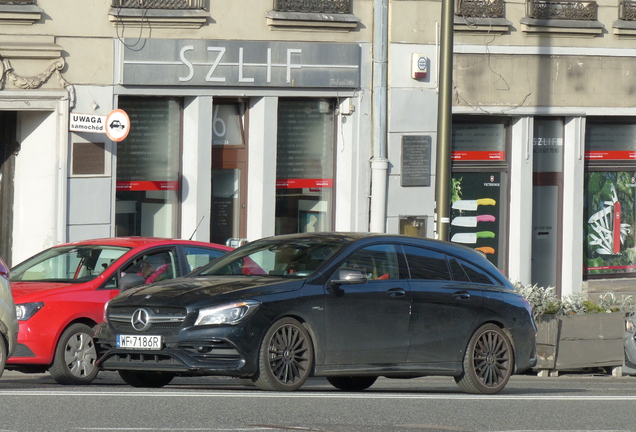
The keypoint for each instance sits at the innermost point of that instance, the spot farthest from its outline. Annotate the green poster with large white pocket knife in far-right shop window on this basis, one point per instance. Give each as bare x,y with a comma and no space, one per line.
609,222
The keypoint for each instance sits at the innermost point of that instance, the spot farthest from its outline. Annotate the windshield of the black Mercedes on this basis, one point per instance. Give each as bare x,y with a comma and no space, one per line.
290,258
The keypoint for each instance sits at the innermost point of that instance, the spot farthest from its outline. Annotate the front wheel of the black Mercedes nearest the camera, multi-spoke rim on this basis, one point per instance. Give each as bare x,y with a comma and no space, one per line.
286,357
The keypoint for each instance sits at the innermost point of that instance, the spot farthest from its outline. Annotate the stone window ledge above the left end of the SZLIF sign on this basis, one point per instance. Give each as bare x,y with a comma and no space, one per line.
165,18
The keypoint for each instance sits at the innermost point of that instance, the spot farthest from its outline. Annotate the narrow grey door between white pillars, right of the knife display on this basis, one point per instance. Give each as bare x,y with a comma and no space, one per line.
547,198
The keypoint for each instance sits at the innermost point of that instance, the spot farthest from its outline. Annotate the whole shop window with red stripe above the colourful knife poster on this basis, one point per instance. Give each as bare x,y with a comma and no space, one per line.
479,186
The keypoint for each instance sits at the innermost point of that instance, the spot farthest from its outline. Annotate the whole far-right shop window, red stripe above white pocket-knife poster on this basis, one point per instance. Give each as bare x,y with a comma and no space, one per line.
610,198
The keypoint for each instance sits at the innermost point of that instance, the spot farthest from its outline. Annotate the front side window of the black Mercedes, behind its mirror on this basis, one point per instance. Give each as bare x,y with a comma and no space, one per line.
378,262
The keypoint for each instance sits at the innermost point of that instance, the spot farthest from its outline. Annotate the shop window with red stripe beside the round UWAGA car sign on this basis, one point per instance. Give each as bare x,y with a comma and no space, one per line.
148,168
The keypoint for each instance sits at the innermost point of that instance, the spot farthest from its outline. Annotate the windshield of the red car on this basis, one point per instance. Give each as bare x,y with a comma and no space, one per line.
67,264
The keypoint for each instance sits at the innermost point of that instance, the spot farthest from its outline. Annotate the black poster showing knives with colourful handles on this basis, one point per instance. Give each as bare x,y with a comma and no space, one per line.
475,209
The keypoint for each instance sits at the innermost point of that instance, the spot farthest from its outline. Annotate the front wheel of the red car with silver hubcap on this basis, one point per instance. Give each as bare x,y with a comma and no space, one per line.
75,356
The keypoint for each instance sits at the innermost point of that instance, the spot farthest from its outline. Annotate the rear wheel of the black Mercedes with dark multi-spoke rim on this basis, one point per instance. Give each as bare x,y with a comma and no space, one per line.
488,362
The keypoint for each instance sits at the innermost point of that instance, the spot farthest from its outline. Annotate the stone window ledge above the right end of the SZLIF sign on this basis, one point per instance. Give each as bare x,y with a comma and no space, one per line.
311,21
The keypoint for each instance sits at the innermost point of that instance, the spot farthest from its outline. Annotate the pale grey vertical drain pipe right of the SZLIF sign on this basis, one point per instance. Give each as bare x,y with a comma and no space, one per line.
379,161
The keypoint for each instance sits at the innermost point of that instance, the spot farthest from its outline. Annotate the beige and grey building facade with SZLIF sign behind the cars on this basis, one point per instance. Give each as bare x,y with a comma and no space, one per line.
248,119
